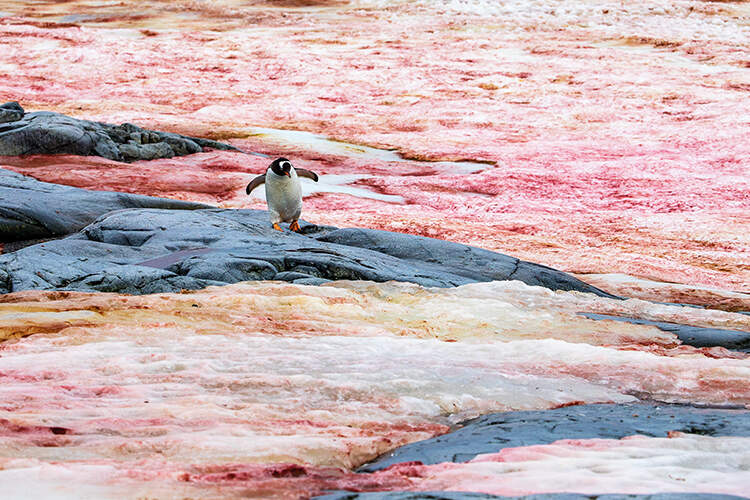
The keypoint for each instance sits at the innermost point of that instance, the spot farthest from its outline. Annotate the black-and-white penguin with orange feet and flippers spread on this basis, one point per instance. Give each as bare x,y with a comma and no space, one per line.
283,192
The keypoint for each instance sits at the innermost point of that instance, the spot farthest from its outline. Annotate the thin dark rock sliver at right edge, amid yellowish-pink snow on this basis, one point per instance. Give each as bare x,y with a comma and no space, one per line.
692,335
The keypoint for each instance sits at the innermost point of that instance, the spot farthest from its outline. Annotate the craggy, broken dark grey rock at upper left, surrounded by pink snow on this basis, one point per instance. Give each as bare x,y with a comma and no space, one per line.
45,132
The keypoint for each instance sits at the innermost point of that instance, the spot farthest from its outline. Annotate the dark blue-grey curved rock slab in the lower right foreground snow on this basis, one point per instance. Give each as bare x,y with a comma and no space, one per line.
491,433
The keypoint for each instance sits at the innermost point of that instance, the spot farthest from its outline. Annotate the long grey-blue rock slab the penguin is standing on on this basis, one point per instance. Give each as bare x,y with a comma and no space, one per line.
155,250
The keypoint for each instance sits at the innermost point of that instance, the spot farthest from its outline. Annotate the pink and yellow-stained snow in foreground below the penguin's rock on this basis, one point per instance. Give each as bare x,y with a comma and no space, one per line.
283,389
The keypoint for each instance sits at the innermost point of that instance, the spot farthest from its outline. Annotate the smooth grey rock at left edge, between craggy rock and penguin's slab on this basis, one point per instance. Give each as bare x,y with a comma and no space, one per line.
30,209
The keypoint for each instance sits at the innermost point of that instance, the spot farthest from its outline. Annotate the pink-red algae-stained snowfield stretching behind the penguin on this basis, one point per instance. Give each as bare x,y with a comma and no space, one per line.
613,134
